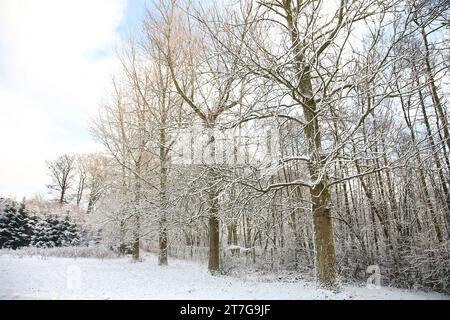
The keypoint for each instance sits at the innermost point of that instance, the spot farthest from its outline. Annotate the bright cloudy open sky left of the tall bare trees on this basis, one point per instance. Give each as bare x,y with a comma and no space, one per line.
57,58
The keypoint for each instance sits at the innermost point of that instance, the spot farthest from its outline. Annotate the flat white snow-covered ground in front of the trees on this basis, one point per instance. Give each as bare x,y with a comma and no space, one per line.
90,278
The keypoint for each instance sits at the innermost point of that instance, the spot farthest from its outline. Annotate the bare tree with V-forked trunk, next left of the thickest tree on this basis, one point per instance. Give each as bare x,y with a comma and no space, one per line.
207,83
